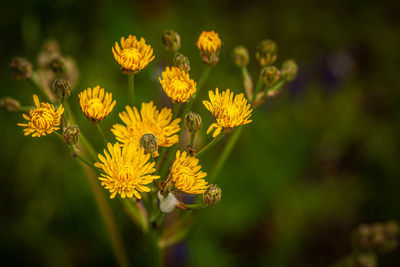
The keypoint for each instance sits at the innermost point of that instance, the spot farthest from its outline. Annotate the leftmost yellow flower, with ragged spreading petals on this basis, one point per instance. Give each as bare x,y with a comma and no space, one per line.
43,119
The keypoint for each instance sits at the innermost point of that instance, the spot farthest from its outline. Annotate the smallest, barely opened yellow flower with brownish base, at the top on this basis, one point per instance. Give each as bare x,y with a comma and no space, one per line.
209,44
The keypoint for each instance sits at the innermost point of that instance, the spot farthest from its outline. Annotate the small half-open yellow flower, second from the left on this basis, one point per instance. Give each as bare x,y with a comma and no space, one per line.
95,104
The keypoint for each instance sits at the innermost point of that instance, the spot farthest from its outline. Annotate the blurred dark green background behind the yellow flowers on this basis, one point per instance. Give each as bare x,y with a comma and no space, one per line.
317,161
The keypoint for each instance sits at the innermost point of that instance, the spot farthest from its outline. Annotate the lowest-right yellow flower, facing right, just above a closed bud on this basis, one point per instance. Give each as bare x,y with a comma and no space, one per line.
187,175
